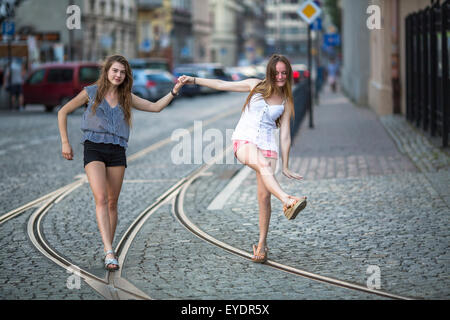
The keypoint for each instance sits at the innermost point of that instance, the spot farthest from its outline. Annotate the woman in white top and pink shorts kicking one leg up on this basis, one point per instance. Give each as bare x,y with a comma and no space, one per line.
268,106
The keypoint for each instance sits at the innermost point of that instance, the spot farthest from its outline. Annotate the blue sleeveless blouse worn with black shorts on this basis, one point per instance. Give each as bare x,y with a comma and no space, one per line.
107,125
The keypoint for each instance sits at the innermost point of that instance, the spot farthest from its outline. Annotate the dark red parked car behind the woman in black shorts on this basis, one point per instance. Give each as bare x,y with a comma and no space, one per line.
55,84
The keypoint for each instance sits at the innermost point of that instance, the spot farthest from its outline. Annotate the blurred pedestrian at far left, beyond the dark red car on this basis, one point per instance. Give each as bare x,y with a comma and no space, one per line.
15,88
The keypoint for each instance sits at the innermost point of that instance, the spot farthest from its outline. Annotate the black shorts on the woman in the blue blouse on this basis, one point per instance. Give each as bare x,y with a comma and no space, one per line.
112,155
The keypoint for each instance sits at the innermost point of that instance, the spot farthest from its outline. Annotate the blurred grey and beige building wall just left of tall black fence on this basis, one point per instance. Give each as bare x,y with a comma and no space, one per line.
374,69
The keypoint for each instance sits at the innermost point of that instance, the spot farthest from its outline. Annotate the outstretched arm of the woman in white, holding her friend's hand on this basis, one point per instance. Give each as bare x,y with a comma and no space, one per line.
239,86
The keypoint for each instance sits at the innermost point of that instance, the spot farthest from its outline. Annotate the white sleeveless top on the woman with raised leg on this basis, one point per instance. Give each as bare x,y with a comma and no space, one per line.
257,123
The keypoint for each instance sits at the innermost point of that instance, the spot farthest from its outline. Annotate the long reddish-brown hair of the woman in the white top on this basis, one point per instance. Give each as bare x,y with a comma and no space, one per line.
268,86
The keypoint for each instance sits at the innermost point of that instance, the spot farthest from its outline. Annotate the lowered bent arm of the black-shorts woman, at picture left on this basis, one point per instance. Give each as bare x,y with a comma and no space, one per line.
81,99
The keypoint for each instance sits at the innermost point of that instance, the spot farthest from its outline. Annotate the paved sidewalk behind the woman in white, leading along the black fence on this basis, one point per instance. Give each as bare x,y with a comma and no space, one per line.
356,142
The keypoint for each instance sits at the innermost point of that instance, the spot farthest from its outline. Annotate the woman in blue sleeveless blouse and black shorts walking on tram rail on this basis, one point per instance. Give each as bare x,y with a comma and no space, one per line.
106,126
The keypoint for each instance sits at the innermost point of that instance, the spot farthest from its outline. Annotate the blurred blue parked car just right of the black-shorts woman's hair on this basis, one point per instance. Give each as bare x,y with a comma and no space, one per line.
152,84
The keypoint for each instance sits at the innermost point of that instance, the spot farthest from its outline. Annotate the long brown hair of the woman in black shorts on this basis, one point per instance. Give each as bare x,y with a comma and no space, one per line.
123,90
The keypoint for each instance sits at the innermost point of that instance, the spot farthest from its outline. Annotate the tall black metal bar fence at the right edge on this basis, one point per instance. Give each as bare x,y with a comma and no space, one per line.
427,69
